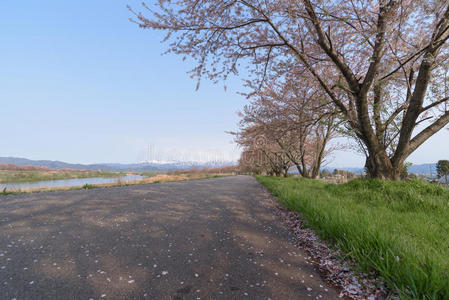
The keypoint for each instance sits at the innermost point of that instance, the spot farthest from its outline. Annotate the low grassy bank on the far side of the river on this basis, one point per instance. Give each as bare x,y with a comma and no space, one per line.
8,176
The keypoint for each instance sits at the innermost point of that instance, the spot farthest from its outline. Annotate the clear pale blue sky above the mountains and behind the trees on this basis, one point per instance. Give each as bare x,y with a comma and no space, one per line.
80,83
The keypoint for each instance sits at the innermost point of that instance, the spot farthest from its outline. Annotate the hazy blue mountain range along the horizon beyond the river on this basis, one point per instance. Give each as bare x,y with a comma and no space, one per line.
151,166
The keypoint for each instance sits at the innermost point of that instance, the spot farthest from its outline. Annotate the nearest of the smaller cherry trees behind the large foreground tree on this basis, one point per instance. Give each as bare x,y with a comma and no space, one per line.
302,128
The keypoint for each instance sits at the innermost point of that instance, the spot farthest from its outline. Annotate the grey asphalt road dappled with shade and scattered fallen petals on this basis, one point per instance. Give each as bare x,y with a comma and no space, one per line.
206,239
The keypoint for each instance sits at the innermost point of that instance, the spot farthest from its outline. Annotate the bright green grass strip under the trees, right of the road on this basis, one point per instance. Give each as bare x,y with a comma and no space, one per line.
398,229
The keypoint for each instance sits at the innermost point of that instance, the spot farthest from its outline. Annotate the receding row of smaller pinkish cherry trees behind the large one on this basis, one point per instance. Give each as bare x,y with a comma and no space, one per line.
286,125
